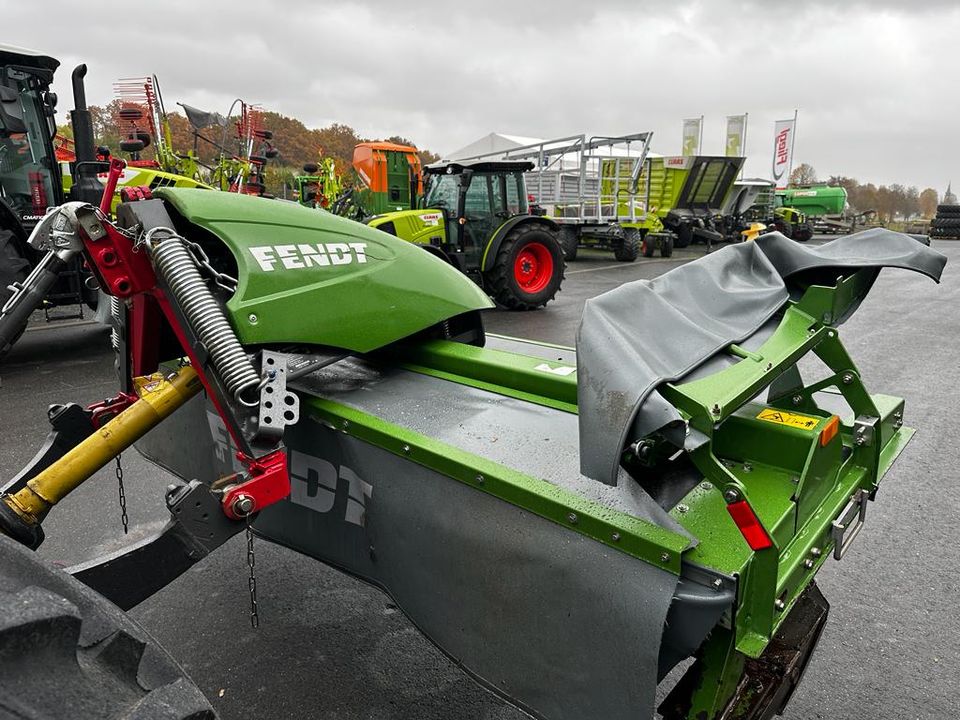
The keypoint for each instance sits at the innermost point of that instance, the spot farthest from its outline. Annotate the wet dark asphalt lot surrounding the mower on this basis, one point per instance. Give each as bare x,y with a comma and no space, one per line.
332,648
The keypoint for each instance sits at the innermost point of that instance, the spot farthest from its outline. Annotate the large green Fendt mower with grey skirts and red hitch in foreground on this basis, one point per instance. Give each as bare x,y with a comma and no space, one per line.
569,524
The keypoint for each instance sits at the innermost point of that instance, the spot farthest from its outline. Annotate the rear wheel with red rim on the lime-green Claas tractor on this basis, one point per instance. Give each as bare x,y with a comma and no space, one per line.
502,282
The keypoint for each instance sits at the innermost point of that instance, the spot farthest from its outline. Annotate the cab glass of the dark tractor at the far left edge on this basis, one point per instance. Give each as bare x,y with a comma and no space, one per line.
27,163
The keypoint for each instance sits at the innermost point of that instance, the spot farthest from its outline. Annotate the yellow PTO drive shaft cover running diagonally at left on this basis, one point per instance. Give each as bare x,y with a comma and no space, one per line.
159,395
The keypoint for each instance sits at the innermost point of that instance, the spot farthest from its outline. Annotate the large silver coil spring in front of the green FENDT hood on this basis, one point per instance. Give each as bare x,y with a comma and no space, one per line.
177,266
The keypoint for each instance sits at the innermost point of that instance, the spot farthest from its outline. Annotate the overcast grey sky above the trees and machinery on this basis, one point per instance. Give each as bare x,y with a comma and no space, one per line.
876,83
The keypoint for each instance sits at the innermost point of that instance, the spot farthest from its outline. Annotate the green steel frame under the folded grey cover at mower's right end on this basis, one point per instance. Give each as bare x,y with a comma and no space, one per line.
772,579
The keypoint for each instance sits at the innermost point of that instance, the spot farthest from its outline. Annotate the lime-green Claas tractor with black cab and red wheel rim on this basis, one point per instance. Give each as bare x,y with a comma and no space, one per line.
475,216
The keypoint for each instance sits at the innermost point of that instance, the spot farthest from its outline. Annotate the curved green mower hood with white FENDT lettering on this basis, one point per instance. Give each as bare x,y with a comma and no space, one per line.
306,276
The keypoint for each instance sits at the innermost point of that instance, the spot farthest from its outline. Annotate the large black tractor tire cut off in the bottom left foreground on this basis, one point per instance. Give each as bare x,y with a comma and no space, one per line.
66,652
